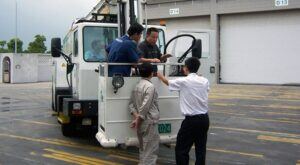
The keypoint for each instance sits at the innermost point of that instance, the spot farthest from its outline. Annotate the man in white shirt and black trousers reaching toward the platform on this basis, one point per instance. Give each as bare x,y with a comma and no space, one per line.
194,106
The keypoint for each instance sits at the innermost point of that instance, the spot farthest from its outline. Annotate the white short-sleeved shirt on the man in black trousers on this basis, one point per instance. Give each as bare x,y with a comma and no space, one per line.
193,94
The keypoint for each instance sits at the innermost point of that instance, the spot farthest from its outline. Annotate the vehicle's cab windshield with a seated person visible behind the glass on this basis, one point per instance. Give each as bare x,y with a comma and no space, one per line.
95,39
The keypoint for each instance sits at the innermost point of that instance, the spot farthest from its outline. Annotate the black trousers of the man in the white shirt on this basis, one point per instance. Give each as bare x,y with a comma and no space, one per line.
193,130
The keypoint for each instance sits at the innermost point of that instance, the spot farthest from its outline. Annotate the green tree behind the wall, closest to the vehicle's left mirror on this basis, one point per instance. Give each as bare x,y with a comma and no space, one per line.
38,45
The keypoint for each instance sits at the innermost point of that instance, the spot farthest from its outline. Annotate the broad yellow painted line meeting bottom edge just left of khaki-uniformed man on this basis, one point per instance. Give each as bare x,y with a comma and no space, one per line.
79,158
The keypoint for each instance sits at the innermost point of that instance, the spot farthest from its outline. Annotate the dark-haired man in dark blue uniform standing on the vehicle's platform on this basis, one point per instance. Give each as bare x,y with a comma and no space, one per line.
124,50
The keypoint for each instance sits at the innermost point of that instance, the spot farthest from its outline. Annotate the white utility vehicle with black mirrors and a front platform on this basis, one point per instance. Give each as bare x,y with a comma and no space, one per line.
92,99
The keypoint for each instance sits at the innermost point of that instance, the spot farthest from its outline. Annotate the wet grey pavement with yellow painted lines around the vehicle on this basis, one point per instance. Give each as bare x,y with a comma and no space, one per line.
250,124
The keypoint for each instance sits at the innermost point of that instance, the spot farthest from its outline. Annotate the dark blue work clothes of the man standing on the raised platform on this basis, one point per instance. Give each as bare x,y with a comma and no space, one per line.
122,50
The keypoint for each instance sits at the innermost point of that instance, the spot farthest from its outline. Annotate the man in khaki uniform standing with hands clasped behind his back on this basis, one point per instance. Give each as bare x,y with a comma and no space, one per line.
144,107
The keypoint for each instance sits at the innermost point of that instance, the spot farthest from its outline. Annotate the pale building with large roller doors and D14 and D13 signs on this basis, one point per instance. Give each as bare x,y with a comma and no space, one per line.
252,41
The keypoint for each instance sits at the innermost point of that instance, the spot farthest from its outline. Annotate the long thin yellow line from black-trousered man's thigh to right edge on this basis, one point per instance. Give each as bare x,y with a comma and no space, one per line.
257,131
